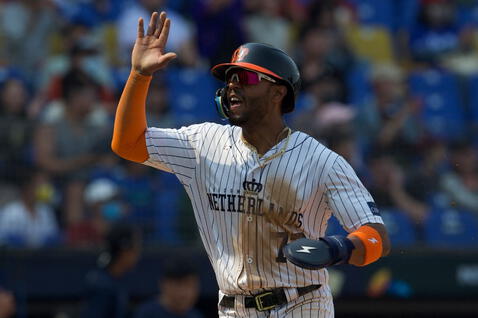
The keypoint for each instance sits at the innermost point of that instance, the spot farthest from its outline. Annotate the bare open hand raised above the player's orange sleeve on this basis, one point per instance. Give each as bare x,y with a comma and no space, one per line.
149,49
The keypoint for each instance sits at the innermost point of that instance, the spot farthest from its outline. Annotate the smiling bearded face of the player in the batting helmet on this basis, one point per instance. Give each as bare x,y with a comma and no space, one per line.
249,103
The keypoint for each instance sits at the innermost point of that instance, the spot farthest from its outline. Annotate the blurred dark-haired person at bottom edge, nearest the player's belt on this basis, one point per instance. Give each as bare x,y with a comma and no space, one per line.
178,291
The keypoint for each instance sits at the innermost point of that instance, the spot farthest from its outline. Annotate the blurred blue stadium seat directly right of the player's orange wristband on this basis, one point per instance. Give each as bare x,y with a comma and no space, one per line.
400,228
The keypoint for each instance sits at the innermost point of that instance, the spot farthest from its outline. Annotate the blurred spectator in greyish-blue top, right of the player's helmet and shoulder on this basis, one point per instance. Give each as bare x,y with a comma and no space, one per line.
390,120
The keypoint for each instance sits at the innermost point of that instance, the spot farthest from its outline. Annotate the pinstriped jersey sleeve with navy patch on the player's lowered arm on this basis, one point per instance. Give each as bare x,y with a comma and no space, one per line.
350,201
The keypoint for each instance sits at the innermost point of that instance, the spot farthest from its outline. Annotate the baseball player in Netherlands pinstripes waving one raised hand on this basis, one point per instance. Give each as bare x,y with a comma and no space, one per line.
261,193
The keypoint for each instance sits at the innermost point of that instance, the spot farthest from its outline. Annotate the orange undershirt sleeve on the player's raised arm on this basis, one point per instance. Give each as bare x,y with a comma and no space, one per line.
129,140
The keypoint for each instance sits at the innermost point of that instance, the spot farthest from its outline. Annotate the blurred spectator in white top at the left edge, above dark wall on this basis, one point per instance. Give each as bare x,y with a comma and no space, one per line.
27,222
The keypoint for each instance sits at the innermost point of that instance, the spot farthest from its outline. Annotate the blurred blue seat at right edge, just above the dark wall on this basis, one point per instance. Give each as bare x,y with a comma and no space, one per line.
451,228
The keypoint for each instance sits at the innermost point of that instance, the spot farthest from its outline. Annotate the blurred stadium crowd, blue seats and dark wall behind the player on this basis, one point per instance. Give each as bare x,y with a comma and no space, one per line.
391,85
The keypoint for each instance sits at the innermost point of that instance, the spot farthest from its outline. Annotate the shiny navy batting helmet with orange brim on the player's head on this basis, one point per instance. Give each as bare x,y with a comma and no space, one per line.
269,60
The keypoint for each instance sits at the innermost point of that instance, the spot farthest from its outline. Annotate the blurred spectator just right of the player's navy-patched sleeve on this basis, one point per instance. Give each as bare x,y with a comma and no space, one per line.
386,183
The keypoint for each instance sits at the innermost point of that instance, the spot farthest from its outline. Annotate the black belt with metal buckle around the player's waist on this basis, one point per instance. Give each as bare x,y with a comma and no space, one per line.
268,299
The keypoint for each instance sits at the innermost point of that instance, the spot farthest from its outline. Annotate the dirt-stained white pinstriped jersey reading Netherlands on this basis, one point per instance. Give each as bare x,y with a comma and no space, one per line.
247,207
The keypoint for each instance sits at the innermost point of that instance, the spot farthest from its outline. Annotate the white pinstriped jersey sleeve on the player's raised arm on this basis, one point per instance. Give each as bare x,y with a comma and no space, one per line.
174,150
